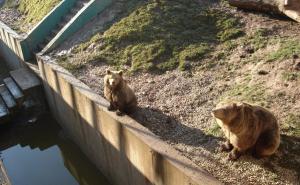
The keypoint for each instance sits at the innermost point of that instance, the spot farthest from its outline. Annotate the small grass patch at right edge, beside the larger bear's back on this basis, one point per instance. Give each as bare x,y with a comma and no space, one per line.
291,125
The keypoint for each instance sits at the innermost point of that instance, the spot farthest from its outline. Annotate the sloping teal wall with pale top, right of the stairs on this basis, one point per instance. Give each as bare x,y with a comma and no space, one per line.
77,22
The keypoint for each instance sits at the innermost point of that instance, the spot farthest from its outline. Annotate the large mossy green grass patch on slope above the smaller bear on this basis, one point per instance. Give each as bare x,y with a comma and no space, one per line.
163,35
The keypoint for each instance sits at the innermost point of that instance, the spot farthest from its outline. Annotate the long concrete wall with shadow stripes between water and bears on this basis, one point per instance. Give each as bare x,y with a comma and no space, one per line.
126,152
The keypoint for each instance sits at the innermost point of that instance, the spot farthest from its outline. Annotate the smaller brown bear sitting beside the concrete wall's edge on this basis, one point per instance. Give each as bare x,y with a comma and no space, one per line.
118,93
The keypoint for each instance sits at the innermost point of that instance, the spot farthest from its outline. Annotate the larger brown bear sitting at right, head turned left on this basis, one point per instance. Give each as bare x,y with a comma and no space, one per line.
247,127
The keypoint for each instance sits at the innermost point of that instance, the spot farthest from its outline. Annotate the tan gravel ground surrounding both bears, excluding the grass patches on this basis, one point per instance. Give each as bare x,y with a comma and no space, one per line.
177,105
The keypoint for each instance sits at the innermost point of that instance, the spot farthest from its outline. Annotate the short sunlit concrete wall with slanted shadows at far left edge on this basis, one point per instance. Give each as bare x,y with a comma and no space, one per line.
11,47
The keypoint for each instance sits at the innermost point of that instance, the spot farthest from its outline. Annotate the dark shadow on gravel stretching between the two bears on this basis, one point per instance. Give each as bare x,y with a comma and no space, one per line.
171,130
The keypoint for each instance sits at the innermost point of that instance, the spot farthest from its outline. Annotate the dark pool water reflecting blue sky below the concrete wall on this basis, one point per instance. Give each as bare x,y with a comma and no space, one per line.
40,154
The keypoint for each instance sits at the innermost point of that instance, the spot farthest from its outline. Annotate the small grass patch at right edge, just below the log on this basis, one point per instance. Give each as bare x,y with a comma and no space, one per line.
288,48
